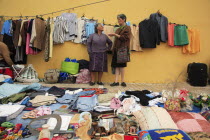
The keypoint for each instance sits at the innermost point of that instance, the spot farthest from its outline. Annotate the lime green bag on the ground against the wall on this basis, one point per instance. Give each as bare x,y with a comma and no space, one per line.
70,67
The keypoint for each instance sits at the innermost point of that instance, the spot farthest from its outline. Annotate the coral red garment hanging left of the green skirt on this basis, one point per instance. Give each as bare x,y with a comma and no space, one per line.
171,34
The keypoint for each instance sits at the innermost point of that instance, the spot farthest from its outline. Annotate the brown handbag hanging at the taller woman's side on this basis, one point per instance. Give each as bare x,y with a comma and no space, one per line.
123,55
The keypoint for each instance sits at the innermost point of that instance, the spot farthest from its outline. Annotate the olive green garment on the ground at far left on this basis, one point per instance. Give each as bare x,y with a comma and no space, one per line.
13,98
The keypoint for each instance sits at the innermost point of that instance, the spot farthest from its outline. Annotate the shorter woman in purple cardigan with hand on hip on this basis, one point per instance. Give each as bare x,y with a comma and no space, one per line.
97,48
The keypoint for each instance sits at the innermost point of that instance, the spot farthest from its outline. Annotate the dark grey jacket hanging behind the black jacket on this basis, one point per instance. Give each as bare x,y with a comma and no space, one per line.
163,25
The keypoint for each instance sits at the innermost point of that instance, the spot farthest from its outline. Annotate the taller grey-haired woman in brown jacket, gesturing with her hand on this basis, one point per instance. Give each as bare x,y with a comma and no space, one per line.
122,40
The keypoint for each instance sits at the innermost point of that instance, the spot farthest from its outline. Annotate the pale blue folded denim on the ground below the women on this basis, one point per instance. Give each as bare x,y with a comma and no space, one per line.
87,103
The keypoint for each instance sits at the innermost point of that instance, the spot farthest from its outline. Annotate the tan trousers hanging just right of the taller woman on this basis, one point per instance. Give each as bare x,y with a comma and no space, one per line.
134,39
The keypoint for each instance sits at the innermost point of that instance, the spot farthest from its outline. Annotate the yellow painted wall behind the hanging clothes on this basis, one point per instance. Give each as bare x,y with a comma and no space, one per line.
159,65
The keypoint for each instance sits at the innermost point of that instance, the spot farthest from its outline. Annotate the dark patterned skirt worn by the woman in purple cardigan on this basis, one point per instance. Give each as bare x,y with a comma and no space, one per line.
98,62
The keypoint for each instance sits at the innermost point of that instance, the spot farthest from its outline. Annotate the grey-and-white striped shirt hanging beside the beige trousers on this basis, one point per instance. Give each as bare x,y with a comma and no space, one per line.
60,30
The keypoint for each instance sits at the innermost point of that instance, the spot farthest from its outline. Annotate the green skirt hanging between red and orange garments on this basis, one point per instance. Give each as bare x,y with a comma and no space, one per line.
180,35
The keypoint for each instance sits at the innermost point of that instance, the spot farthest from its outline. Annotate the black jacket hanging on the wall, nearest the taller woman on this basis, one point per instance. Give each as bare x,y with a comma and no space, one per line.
149,33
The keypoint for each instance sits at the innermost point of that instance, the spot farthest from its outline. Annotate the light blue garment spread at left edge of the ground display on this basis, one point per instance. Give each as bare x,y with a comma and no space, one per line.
10,89
